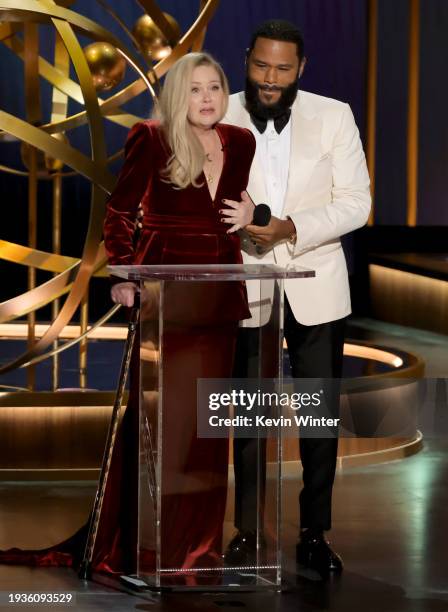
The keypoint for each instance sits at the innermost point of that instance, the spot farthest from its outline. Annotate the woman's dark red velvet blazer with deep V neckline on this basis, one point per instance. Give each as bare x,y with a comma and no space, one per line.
180,226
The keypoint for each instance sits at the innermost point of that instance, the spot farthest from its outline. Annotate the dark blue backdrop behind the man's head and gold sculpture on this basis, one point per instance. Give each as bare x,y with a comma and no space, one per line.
335,35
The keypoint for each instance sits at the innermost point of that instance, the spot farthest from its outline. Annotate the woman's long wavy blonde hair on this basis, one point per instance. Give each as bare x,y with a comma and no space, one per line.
187,154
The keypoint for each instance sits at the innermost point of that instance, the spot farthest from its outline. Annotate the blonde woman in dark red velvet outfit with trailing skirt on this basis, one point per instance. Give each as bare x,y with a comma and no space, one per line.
188,172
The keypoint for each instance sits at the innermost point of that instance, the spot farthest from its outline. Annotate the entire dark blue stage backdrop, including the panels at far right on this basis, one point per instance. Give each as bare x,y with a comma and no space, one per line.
335,33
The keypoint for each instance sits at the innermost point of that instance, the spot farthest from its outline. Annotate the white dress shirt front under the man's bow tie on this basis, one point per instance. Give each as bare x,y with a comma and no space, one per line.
273,151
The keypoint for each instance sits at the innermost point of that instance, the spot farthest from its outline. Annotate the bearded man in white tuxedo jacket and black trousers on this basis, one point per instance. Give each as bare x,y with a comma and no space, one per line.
310,168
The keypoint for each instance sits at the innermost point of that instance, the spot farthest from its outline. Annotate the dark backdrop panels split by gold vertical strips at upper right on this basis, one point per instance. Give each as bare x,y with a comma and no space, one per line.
392,109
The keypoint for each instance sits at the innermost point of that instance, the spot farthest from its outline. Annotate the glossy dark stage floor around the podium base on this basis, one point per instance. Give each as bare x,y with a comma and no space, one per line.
389,526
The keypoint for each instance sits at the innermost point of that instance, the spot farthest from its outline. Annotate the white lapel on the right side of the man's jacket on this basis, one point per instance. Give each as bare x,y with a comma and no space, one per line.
306,150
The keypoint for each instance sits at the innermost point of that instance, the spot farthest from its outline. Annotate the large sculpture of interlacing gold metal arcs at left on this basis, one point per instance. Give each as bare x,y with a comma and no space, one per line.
73,275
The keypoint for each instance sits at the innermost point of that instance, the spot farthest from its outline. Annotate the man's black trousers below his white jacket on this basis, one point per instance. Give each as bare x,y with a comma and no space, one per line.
315,351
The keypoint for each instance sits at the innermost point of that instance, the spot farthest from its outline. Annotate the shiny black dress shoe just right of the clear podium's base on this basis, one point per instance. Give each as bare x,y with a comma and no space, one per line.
314,552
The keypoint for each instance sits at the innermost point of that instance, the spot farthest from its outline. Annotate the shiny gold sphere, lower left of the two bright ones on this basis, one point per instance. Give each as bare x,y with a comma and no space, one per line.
106,65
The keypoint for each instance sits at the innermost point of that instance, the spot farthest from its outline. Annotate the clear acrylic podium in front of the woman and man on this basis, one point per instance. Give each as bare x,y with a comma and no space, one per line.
186,502
